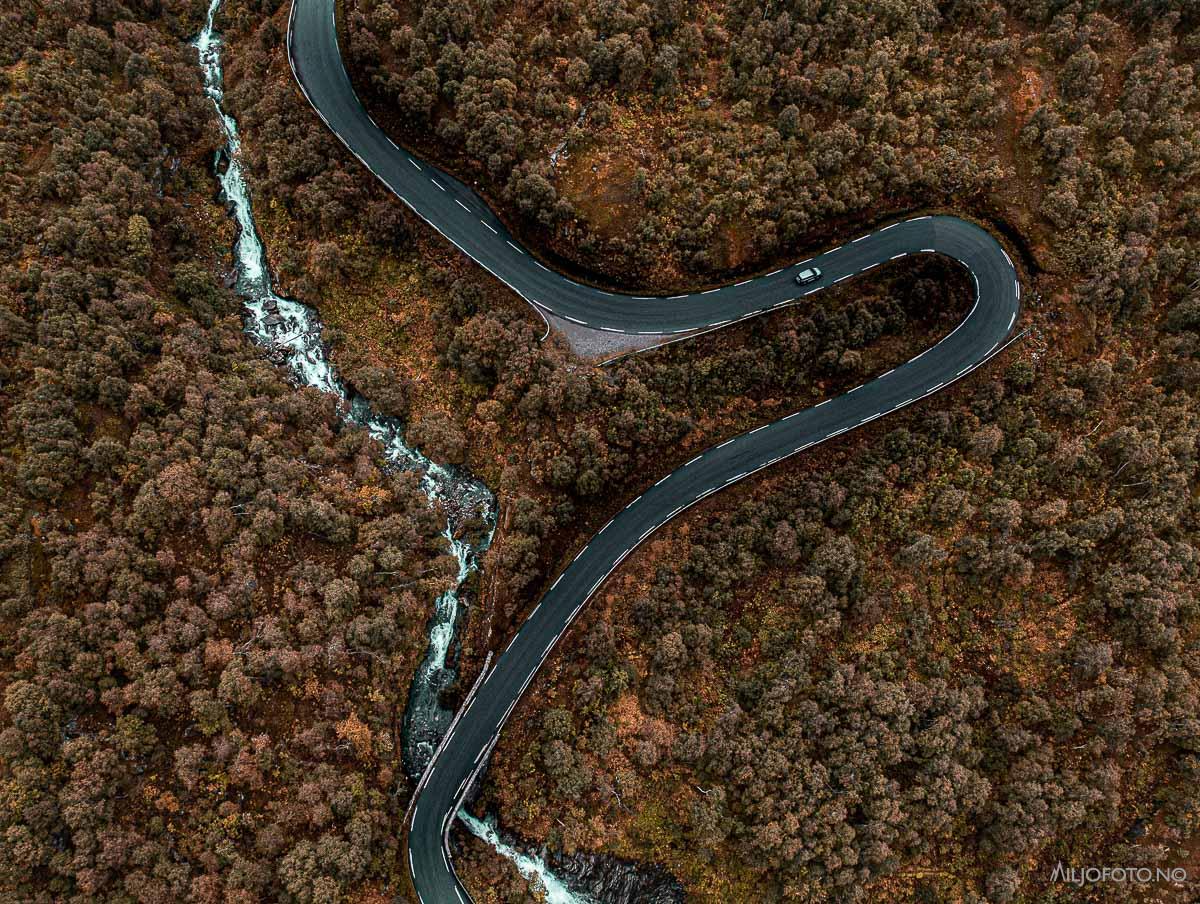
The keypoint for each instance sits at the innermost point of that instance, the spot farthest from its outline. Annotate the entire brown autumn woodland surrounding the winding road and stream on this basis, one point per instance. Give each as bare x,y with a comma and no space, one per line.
925,663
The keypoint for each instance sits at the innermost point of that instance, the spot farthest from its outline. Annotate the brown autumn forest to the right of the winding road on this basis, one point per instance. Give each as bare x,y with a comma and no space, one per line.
1011,570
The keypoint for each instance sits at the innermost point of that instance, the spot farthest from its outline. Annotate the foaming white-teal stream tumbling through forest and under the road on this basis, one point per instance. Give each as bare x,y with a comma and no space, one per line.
291,333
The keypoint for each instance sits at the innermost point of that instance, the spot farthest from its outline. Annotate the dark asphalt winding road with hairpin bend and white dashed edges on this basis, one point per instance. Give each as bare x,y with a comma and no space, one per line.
461,217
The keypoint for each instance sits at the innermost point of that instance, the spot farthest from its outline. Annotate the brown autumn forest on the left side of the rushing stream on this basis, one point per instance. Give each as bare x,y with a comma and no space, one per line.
213,595
